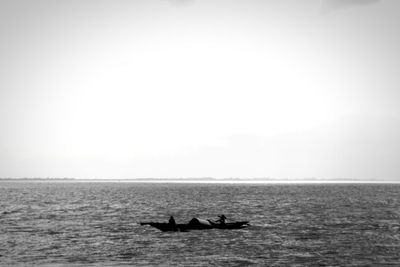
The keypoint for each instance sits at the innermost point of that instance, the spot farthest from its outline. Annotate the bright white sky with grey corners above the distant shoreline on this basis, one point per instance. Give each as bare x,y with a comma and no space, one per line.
194,88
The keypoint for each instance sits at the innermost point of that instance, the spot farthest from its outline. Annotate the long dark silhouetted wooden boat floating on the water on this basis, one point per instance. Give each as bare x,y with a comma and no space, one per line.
196,224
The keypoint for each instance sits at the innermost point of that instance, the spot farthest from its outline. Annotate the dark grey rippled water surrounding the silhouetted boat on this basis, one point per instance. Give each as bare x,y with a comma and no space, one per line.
95,224
